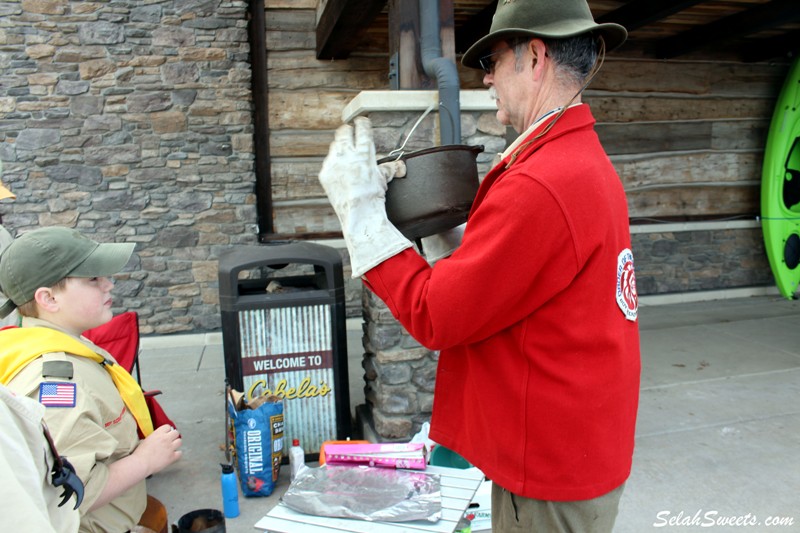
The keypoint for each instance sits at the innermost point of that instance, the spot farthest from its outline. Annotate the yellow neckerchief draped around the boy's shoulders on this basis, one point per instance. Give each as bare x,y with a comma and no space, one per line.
20,346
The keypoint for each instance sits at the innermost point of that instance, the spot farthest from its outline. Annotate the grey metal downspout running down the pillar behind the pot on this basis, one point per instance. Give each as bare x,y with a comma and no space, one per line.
443,70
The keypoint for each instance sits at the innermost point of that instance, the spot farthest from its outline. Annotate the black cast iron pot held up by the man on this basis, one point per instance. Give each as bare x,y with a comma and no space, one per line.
437,191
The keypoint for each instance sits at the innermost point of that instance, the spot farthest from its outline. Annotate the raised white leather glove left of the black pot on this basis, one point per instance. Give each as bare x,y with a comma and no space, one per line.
356,188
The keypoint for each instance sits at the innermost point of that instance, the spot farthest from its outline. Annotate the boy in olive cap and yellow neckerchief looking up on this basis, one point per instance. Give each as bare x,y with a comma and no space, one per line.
59,281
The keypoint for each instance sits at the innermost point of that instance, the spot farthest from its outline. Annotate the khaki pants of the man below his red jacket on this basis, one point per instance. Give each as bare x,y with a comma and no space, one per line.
515,514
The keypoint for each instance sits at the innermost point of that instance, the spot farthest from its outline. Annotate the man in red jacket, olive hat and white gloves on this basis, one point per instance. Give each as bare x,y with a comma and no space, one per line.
535,312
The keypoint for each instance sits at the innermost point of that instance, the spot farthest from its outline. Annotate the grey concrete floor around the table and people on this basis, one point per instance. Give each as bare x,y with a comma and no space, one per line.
718,429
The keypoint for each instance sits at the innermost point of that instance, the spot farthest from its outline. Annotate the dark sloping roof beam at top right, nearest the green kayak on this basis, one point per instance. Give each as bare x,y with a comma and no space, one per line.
758,18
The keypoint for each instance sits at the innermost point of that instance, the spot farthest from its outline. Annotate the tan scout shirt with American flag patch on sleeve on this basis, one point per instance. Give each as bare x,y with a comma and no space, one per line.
90,425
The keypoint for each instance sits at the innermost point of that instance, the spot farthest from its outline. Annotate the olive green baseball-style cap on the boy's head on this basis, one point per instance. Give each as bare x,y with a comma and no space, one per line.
45,256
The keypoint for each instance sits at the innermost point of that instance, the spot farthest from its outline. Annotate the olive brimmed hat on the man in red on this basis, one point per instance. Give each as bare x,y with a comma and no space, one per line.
549,19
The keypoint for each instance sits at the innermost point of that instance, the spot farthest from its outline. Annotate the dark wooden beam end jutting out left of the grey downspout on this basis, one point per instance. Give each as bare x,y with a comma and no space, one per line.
342,25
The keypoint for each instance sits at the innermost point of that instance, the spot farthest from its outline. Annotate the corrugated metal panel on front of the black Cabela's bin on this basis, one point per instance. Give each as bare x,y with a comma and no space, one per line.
301,332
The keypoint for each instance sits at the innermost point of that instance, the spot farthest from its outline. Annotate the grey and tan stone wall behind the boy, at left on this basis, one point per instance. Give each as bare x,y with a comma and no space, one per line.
132,122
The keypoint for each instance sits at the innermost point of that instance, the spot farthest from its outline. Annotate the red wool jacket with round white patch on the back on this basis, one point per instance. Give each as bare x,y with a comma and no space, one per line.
535,317
